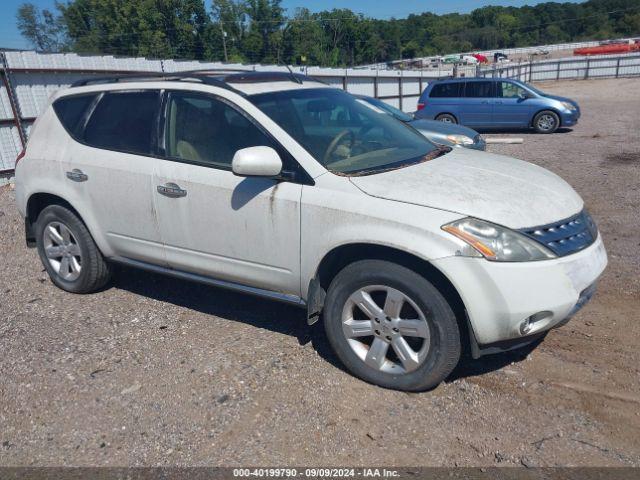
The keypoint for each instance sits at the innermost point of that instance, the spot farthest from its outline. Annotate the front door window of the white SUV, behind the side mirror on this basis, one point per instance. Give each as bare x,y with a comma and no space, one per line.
203,129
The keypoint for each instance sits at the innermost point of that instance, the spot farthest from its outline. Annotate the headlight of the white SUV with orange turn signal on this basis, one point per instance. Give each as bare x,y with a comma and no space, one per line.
495,242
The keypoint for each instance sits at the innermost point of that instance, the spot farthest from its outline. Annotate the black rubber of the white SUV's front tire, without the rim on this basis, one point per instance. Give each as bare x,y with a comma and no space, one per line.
444,344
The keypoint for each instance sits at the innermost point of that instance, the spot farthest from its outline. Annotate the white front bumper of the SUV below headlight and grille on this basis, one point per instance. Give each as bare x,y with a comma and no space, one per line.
499,297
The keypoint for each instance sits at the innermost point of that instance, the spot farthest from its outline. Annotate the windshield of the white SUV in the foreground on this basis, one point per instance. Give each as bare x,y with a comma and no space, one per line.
345,135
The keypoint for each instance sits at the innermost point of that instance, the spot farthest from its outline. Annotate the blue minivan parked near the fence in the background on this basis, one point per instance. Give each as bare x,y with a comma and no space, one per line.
488,103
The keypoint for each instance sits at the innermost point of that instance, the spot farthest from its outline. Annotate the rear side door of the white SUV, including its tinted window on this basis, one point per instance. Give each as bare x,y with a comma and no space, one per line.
110,167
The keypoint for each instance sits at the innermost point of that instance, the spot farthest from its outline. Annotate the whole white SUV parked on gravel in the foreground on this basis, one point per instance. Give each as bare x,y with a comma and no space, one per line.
278,185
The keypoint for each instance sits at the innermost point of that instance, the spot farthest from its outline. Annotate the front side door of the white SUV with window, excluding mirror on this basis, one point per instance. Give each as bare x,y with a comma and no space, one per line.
213,223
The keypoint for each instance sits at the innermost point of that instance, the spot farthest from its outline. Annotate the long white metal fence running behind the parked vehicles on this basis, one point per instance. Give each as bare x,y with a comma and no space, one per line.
28,79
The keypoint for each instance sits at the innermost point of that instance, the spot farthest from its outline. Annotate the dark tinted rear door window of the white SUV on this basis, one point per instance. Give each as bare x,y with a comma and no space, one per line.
123,121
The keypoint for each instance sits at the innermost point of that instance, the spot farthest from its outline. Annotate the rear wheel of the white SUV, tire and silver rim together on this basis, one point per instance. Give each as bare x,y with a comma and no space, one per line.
71,257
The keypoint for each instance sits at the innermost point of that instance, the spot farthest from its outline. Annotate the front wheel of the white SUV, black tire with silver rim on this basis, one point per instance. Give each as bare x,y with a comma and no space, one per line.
356,344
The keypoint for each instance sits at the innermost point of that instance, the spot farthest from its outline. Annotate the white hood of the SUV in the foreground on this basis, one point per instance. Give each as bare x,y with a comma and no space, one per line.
495,188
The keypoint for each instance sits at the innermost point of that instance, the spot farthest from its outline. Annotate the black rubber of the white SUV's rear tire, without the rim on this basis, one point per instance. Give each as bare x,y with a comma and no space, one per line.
94,273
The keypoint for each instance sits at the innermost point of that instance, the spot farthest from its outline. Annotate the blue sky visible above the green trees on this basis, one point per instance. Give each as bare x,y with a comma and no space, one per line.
11,38
